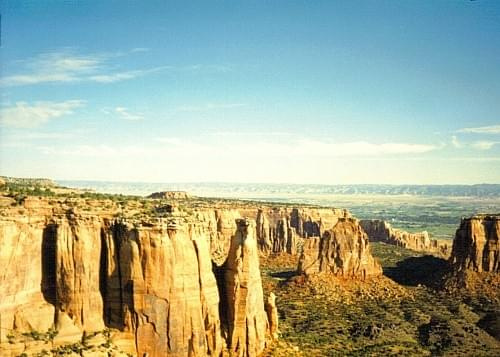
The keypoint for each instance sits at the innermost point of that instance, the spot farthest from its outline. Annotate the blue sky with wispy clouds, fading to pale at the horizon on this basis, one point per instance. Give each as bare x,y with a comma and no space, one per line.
323,92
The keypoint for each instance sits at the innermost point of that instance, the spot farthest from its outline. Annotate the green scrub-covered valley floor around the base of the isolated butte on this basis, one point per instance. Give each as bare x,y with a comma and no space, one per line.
382,317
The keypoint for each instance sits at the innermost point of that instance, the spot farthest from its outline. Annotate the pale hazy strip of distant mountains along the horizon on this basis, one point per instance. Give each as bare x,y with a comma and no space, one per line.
248,190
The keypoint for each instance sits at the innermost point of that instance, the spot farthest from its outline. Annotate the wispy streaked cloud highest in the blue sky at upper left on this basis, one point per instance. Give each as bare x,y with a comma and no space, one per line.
67,67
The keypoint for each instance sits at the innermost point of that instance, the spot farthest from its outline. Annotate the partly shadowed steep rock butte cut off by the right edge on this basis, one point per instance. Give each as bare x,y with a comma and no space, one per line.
476,246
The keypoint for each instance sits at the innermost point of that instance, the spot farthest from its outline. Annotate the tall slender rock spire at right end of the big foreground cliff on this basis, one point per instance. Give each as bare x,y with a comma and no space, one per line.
246,316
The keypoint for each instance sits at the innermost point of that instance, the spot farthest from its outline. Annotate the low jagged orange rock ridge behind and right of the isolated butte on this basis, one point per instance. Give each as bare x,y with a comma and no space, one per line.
381,231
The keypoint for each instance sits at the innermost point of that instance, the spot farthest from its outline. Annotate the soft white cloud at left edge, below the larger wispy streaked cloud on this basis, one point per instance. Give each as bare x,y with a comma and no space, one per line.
24,115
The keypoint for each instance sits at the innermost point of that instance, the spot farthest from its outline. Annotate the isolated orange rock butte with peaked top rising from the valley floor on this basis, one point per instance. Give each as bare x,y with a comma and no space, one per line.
342,251
